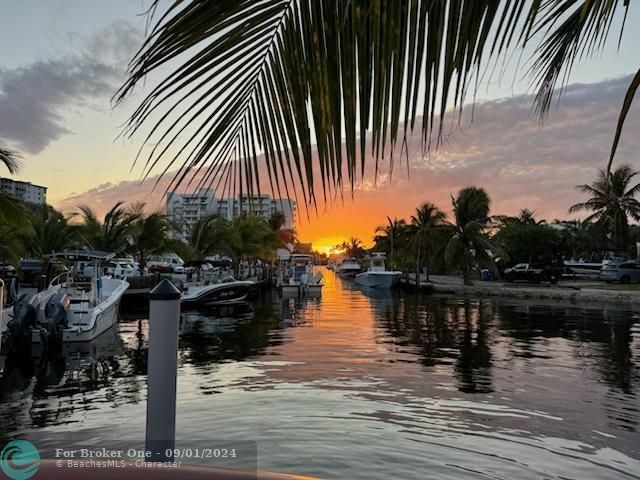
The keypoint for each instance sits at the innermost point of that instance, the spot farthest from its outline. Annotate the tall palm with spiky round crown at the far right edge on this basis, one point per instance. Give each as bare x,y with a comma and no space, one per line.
612,201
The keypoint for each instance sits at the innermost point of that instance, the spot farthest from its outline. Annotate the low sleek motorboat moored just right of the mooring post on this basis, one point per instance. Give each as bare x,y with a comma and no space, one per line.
216,292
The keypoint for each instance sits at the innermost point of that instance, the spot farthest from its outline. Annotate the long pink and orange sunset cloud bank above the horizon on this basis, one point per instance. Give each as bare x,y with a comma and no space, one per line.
503,150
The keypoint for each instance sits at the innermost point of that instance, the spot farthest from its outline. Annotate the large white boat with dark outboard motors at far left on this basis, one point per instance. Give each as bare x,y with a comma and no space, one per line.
78,305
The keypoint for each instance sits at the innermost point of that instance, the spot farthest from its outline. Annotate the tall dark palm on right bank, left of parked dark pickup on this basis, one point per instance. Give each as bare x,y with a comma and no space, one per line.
469,242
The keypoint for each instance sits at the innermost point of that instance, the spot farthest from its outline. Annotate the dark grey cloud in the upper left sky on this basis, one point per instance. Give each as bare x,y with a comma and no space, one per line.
35,97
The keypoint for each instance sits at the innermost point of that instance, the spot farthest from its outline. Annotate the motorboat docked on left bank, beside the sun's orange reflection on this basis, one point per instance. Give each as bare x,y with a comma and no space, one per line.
297,276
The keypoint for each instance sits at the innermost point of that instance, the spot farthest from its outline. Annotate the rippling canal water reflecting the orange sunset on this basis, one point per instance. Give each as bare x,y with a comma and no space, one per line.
366,385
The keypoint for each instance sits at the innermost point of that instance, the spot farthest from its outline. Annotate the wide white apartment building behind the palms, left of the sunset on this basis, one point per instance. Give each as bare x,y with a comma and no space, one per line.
187,209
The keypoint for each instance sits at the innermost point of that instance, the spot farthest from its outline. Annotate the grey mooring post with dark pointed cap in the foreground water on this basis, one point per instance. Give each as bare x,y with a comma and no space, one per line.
162,370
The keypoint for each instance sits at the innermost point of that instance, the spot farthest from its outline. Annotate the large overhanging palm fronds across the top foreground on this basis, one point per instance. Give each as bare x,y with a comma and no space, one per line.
249,77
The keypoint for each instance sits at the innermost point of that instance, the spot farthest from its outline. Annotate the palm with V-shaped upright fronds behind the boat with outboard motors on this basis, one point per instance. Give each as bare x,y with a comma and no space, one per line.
111,235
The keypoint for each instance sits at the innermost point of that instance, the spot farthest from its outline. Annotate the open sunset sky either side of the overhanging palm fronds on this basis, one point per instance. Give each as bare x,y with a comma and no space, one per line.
61,61
